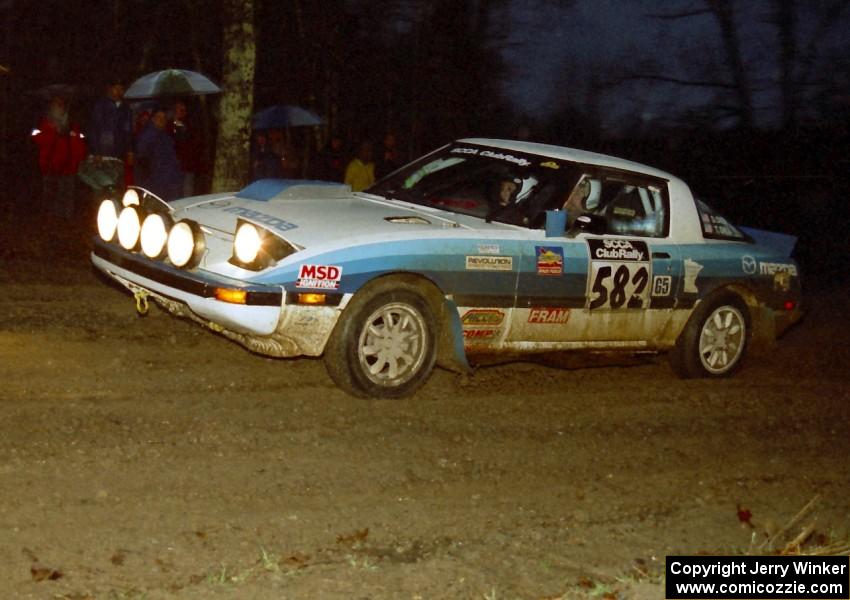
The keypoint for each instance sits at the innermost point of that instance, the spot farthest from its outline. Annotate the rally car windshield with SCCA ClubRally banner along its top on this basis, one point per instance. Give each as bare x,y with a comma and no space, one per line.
490,183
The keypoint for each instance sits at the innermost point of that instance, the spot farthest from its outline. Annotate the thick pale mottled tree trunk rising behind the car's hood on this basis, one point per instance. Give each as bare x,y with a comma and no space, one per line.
232,157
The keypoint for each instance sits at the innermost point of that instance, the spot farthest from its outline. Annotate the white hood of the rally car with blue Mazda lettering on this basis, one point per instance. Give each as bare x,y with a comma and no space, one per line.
313,213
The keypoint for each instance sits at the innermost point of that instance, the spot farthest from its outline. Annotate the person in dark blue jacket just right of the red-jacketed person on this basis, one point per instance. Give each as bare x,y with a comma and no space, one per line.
110,131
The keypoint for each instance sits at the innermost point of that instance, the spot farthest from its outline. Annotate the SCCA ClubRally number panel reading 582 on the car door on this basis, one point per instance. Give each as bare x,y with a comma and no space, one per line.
619,273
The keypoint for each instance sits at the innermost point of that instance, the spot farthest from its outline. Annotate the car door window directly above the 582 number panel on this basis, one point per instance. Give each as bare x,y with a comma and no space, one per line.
632,208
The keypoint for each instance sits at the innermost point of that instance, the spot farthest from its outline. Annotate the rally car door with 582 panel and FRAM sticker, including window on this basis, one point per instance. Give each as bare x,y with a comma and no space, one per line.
601,289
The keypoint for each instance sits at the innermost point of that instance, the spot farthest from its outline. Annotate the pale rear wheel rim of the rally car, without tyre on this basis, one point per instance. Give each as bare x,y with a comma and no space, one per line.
721,340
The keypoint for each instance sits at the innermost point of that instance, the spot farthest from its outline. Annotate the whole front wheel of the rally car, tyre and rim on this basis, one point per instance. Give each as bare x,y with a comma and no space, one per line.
383,345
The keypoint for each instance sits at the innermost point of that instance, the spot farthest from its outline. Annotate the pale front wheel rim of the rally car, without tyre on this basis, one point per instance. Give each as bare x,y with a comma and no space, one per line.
393,344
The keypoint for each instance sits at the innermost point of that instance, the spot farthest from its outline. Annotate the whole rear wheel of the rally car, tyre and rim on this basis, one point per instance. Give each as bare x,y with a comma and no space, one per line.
714,340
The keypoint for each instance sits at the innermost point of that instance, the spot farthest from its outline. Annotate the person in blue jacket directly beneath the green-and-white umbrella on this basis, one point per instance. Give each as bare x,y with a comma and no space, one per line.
157,166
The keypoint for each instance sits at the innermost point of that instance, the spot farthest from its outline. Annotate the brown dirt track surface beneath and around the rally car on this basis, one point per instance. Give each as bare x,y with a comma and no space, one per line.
149,458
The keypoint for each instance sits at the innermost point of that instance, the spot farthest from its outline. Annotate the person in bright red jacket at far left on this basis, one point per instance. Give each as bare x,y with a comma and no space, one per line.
61,149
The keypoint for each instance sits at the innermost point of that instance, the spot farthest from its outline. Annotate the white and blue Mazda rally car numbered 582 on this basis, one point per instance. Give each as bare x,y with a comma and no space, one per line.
480,247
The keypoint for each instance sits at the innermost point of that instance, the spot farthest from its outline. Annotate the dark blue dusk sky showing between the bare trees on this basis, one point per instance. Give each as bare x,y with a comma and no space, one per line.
551,43
